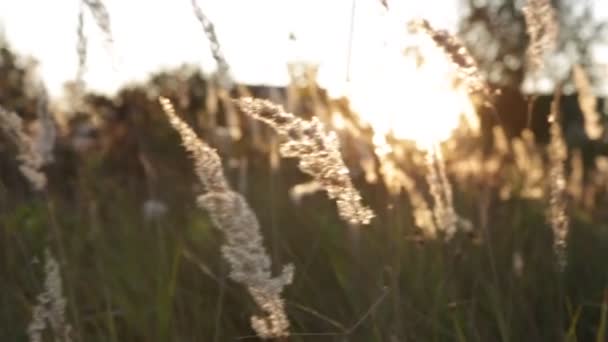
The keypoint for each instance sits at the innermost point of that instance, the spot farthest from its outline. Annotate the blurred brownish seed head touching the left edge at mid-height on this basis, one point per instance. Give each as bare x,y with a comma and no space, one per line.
30,157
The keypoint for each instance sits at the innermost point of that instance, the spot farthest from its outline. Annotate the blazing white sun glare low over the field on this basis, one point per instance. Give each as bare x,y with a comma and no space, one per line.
412,98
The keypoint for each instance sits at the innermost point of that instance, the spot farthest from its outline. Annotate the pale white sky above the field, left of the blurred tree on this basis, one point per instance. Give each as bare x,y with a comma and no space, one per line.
154,34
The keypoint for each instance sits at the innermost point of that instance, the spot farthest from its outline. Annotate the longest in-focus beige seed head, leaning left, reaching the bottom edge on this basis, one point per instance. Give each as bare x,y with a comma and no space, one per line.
244,249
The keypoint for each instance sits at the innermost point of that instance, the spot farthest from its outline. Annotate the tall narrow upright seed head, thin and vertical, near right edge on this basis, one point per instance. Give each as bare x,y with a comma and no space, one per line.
558,154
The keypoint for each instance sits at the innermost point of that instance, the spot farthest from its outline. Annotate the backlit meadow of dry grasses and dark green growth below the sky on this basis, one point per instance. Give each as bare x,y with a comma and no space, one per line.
191,208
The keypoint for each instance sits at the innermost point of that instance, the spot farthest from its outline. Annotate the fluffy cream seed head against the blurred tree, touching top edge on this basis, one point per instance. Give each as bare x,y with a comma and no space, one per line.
542,28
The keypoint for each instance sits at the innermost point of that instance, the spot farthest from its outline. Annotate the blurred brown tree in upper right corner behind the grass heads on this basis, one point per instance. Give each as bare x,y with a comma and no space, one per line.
495,33
